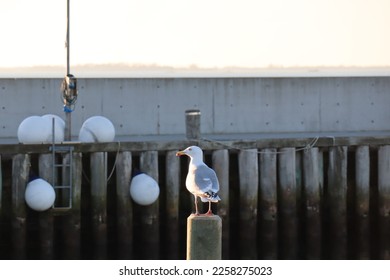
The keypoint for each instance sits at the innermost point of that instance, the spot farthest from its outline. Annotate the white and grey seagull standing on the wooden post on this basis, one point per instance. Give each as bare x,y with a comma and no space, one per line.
201,180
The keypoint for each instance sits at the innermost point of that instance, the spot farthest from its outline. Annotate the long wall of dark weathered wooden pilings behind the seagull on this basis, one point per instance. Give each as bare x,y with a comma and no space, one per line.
281,199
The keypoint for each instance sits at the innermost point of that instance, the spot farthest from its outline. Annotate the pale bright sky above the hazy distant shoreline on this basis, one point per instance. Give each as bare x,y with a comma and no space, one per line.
206,33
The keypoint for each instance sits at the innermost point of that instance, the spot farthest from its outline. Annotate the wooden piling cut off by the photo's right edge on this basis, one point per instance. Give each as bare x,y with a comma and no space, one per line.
384,201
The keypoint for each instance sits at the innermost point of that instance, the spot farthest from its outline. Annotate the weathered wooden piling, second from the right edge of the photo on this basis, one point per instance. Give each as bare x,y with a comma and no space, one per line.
362,203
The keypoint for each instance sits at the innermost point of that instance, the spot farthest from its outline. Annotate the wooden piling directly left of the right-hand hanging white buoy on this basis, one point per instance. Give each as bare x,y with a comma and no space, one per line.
124,206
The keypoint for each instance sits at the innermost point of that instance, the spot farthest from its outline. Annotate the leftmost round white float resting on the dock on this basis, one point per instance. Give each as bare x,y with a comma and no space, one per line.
33,130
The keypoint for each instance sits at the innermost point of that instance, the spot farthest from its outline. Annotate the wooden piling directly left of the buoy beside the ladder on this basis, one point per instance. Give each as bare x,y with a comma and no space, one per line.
20,177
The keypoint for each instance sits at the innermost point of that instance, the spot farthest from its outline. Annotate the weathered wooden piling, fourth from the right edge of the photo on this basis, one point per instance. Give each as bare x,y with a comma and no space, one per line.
312,203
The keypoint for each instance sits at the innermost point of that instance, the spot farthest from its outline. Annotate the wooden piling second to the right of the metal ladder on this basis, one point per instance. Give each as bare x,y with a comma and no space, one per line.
99,203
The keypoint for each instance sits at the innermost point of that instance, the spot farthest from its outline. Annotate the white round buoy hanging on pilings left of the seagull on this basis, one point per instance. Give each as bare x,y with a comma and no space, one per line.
144,190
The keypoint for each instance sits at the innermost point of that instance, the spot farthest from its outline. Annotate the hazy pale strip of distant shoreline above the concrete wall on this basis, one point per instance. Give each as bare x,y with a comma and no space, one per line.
123,70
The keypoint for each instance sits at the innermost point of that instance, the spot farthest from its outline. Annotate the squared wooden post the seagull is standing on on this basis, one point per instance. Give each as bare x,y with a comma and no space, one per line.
204,237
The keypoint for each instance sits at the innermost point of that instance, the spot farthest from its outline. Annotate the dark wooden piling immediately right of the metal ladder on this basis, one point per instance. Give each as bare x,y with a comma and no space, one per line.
72,221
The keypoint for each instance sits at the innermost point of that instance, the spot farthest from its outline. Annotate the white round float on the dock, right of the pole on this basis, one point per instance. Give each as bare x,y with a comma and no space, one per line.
97,129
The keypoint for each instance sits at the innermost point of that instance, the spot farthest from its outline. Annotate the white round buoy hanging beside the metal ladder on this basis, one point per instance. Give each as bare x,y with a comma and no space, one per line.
39,195
